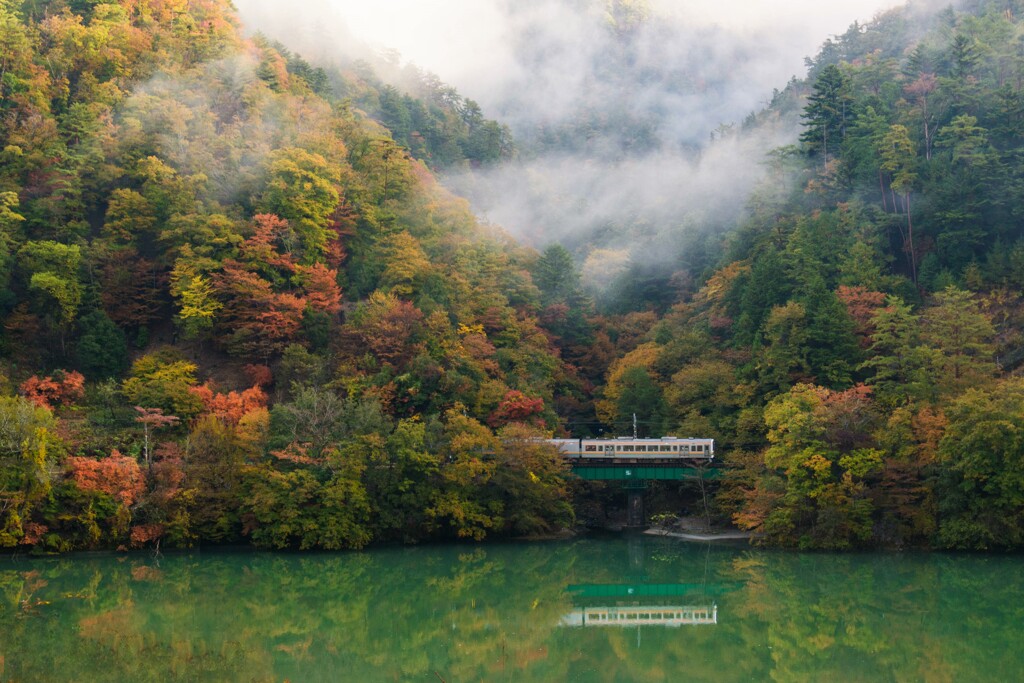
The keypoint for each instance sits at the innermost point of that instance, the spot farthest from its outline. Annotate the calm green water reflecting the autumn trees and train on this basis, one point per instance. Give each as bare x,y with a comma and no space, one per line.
514,613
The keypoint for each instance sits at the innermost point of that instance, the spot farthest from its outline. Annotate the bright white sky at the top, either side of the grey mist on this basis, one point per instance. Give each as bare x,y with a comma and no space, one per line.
465,41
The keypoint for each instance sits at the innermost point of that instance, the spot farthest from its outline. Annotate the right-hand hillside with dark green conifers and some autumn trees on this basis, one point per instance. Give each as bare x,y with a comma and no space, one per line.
859,349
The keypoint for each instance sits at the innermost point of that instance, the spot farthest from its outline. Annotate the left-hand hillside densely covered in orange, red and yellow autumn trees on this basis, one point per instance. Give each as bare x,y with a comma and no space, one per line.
236,308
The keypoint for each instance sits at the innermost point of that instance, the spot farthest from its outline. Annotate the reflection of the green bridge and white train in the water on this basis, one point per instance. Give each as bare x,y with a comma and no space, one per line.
629,606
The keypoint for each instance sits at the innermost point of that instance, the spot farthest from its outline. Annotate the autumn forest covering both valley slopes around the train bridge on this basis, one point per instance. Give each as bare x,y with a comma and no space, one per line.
240,308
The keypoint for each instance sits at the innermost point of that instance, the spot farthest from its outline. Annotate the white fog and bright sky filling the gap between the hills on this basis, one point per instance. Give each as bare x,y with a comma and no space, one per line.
613,110
